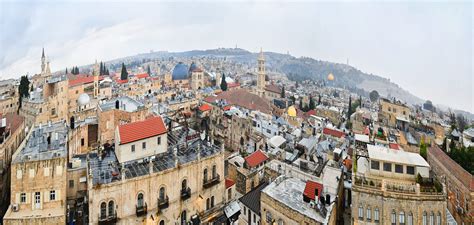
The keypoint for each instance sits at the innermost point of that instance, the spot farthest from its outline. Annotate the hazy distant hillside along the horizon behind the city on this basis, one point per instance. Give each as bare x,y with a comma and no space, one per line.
301,68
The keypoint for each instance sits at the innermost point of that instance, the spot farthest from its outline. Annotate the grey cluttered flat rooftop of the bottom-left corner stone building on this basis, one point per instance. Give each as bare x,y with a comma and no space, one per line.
44,143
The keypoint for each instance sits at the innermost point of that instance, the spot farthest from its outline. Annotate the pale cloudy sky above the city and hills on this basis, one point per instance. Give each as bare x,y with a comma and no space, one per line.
425,47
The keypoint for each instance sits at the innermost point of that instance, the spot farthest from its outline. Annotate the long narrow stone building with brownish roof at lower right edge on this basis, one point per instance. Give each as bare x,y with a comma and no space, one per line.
459,184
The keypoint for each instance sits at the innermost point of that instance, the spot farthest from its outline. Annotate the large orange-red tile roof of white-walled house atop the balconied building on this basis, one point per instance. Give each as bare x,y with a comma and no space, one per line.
140,130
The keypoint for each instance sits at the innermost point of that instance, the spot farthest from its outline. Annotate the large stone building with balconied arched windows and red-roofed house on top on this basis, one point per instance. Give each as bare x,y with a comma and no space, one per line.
185,183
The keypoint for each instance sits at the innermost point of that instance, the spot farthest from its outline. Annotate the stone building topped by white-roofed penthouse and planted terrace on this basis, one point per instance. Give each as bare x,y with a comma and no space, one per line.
394,187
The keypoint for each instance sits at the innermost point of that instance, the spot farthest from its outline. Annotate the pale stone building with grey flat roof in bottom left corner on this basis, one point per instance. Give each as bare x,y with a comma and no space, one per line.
38,177
